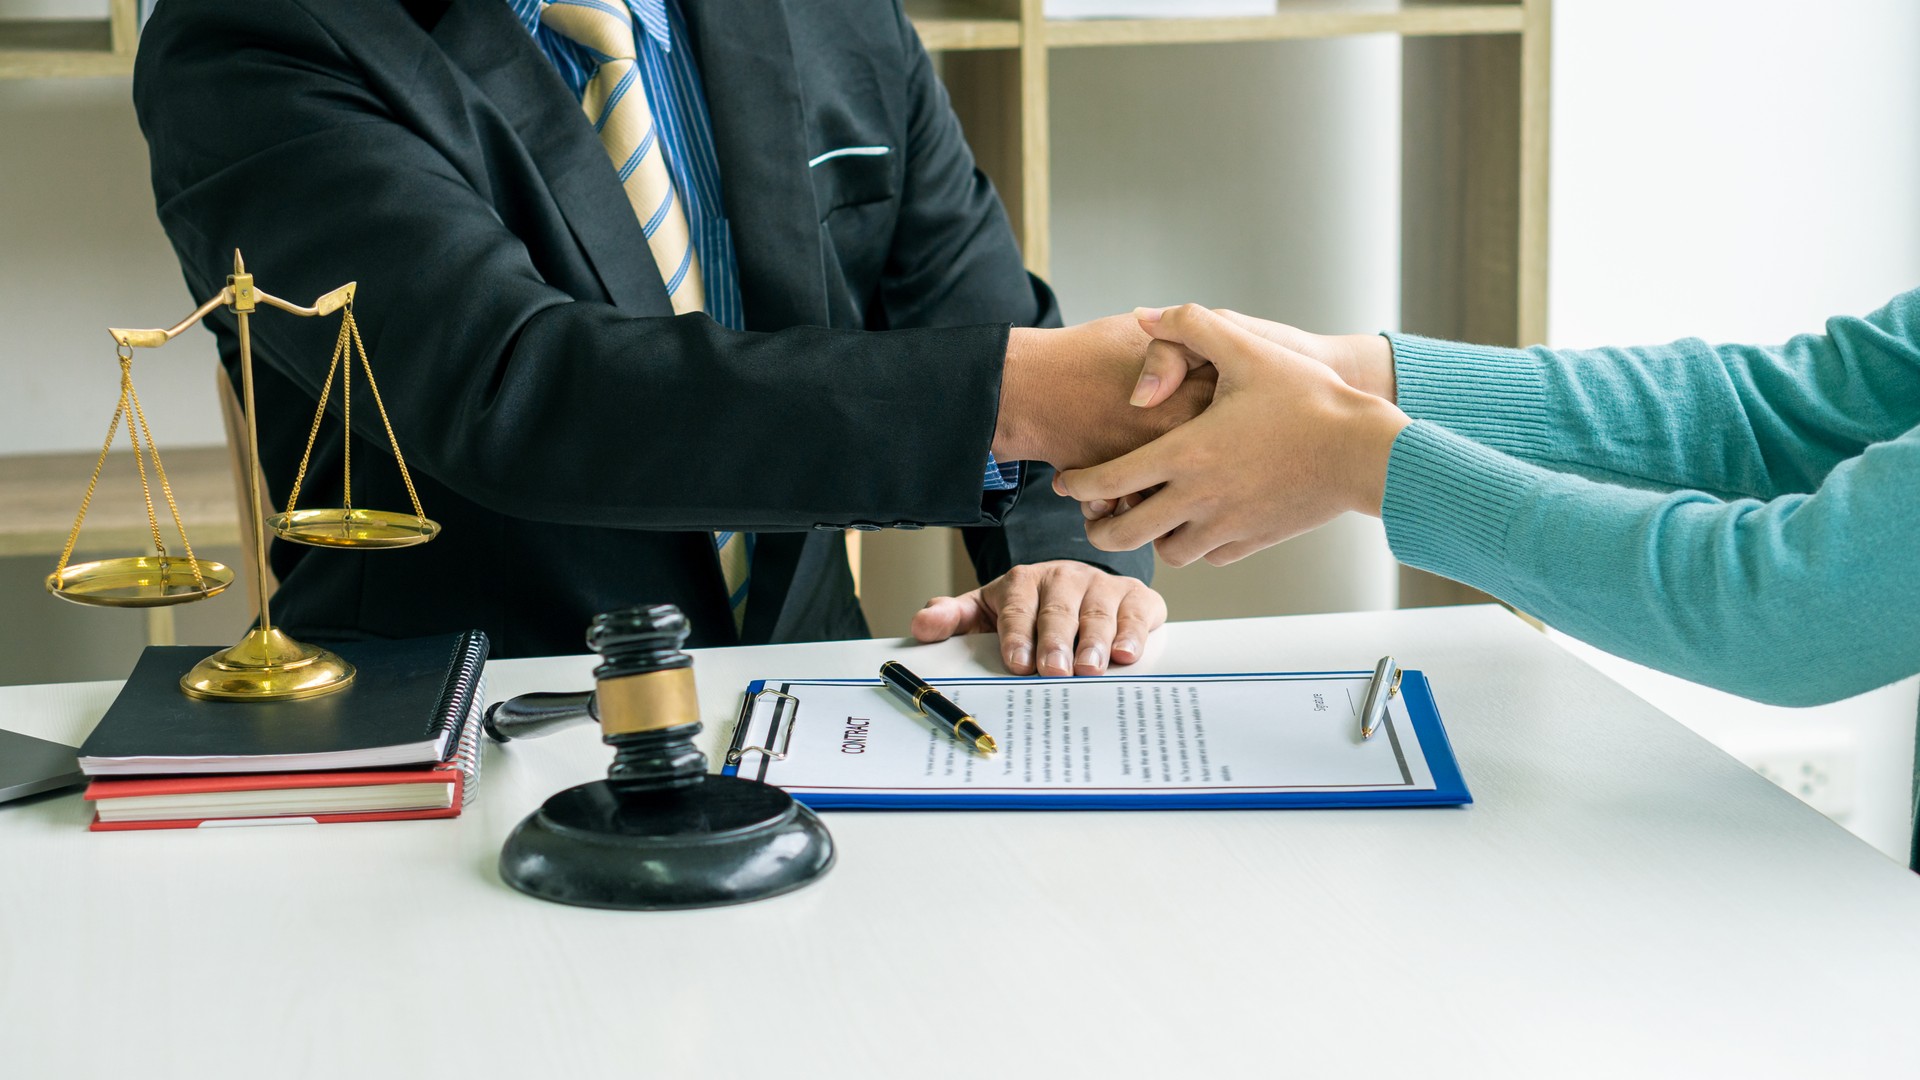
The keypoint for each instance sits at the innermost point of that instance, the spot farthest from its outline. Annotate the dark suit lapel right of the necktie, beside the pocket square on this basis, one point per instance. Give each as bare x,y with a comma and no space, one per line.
759,122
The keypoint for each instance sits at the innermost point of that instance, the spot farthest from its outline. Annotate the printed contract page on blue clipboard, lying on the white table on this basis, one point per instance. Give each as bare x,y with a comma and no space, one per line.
1113,743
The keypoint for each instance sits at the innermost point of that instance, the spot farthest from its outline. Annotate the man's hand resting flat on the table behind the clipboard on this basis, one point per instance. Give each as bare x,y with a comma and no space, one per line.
1057,618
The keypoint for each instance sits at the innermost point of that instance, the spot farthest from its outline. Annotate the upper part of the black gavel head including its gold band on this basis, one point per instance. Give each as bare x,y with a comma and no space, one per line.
644,681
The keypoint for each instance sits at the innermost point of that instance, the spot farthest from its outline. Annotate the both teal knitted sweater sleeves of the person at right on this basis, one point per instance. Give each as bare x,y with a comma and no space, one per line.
1798,599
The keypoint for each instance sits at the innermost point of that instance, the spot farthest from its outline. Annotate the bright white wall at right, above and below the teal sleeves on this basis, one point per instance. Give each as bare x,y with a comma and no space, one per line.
1740,170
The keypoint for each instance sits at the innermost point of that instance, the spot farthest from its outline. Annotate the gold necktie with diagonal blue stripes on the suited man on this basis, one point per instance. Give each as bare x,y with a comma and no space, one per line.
615,103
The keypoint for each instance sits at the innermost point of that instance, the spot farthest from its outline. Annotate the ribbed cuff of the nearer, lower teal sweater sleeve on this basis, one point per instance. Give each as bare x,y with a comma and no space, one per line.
1451,503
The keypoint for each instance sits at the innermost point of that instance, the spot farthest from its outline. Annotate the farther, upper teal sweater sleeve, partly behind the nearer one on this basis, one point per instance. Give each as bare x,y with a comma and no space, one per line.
1727,420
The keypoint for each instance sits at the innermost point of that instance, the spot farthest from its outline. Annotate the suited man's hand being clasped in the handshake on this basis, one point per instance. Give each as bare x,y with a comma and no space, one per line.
1065,395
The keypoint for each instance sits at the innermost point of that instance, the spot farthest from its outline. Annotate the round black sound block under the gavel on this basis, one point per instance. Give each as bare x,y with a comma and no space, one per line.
721,841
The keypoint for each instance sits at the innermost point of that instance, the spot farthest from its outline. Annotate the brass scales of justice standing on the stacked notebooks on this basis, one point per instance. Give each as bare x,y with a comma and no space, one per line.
266,664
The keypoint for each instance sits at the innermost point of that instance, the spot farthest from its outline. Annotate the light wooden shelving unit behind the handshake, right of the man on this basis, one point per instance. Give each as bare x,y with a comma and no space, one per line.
1474,145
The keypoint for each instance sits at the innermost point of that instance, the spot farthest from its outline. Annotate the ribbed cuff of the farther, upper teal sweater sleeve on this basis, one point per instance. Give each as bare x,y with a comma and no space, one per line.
1495,397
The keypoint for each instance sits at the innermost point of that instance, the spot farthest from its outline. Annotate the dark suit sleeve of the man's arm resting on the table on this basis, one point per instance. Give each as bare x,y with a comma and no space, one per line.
955,260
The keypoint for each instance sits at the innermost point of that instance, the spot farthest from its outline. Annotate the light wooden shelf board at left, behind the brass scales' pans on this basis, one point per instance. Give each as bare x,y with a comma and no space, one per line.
41,493
